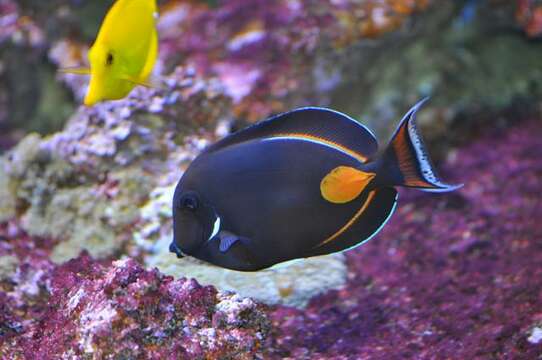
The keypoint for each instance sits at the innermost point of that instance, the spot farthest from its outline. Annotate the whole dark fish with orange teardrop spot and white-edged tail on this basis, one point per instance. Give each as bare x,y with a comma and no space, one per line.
304,183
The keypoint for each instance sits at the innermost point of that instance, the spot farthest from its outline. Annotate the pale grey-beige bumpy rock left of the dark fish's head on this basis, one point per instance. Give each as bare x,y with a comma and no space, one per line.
85,185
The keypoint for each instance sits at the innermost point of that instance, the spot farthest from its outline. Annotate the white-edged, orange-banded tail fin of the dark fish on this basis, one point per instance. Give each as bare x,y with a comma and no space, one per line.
406,157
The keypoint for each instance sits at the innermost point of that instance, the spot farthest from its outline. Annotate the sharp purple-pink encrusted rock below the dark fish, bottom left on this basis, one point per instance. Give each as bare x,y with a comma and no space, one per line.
90,309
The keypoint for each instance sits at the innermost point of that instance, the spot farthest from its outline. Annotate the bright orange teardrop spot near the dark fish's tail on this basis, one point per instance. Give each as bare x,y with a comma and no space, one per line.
344,184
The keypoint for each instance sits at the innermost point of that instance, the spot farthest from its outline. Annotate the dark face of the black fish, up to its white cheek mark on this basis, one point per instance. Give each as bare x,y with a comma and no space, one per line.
194,222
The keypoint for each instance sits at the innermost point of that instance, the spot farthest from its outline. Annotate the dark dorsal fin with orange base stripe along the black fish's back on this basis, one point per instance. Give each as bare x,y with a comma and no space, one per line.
310,123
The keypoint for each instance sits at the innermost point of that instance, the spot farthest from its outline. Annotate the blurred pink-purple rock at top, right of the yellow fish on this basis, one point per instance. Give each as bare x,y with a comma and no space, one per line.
264,52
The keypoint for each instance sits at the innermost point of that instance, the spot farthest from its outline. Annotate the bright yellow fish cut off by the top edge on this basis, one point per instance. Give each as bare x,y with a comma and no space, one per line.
124,52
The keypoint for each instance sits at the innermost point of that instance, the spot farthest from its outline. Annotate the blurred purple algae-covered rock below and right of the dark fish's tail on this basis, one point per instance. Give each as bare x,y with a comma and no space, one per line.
455,276
